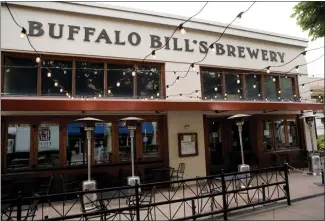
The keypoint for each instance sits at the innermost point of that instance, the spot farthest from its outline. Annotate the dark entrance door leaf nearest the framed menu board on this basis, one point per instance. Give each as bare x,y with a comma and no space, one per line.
215,147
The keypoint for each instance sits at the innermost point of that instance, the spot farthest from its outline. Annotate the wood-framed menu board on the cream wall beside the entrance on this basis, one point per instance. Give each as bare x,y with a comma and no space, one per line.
187,145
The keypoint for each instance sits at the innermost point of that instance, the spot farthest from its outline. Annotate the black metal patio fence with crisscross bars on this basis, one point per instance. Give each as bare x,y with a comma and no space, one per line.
195,198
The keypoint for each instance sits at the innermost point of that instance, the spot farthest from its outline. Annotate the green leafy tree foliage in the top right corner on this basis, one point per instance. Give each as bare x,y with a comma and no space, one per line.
311,17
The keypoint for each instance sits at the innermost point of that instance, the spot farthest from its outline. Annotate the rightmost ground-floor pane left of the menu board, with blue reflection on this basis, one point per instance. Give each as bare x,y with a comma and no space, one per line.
150,140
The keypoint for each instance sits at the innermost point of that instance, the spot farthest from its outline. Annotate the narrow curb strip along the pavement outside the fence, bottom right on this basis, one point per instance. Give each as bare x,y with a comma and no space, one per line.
267,207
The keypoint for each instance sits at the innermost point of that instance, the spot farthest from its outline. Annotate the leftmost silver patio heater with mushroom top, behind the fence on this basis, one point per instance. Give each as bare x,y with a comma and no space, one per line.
88,185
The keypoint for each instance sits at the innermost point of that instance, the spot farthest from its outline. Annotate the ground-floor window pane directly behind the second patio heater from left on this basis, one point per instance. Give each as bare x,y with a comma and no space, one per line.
125,143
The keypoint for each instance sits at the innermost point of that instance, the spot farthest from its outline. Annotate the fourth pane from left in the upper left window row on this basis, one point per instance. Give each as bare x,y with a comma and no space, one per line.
120,80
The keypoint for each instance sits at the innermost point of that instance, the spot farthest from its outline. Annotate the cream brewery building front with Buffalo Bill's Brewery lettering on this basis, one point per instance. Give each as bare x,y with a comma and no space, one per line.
92,64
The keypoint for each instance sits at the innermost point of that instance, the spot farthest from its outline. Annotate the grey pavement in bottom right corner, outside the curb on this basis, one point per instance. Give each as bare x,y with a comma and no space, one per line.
311,209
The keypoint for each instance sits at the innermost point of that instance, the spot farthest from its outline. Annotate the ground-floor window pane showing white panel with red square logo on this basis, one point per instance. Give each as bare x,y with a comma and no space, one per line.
48,145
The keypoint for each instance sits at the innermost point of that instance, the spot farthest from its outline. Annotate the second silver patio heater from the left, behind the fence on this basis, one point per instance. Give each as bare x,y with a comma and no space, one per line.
131,124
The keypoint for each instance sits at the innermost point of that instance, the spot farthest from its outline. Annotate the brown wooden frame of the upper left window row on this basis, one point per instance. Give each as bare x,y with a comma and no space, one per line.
74,59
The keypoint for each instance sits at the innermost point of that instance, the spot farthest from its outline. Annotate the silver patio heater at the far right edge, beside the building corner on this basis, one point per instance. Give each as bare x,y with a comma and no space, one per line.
314,160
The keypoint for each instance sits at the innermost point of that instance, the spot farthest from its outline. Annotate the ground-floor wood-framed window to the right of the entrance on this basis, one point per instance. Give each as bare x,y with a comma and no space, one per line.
279,134
